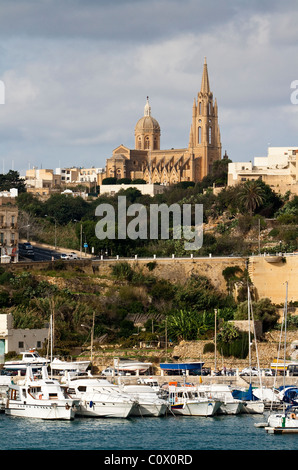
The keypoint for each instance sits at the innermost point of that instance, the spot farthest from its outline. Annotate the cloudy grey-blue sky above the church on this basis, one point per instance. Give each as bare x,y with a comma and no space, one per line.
75,74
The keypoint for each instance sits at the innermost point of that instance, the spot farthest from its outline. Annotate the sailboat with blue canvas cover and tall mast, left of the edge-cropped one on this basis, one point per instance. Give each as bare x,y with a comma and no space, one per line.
251,404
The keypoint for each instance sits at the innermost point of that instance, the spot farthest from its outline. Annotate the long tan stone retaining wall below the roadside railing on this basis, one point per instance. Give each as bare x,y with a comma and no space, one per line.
269,278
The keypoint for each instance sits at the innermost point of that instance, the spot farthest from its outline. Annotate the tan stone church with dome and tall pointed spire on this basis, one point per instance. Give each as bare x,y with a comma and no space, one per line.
148,162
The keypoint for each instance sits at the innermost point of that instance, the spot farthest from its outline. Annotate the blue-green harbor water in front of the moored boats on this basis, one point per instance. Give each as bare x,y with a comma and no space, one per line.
140,434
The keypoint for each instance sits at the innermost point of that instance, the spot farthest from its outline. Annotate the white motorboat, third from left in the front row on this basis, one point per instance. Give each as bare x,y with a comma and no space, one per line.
147,400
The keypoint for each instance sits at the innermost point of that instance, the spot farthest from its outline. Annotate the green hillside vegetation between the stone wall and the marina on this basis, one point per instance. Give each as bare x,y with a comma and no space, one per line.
178,311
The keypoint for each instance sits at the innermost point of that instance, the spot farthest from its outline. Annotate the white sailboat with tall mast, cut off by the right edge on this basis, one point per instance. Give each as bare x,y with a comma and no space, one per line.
287,419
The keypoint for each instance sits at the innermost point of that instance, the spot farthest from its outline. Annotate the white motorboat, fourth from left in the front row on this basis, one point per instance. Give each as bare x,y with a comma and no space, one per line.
185,401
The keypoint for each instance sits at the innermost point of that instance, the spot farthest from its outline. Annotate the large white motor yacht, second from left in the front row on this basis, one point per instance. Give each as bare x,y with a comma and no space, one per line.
99,398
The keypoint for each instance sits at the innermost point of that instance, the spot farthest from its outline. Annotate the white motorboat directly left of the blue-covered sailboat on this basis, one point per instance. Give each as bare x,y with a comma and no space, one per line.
223,393
